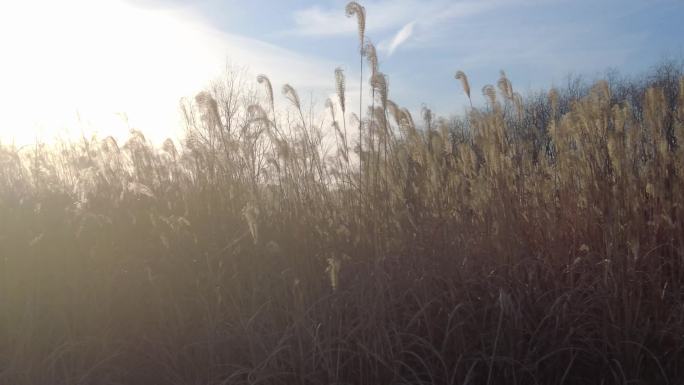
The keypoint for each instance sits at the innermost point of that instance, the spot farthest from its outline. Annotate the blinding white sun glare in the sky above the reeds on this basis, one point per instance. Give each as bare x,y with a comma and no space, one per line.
76,67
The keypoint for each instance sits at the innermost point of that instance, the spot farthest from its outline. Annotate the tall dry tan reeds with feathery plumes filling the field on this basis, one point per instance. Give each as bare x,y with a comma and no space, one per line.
539,239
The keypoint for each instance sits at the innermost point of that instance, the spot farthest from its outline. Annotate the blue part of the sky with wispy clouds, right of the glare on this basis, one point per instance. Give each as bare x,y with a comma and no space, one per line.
537,42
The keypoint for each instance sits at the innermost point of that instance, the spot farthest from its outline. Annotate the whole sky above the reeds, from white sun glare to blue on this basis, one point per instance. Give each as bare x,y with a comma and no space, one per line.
78,66
